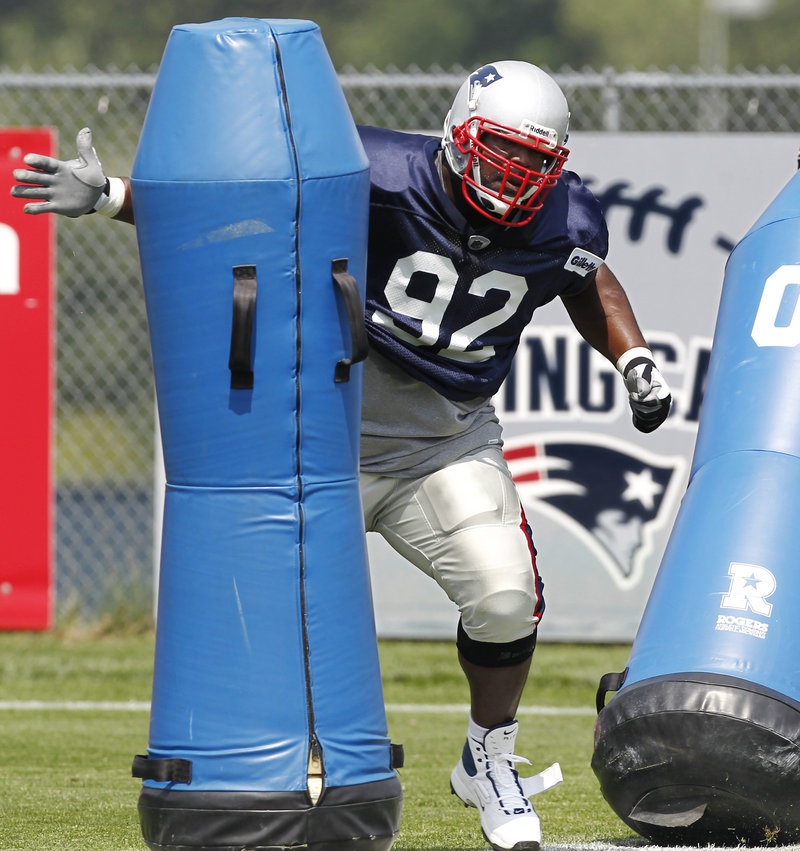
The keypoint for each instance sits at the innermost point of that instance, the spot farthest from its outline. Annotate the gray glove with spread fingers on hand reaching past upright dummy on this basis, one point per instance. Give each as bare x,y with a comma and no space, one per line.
71,188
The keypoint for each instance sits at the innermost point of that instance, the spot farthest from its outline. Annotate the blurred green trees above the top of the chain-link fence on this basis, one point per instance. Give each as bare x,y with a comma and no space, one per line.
622,34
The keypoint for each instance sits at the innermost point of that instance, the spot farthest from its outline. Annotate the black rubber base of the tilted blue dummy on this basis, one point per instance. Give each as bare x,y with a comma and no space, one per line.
698,759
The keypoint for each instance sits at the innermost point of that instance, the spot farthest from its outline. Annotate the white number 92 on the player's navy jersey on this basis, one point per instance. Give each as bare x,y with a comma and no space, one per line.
430,313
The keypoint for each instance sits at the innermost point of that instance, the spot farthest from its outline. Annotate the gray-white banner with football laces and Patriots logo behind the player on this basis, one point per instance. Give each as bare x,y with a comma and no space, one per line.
601,497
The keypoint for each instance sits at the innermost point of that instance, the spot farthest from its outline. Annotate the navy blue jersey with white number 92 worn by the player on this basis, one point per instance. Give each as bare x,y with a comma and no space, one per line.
448,301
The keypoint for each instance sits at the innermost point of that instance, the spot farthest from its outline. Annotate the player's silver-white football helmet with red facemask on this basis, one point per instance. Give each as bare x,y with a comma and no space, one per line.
515,101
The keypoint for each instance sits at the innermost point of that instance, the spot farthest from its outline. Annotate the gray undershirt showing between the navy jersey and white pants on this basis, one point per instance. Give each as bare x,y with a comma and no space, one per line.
410,430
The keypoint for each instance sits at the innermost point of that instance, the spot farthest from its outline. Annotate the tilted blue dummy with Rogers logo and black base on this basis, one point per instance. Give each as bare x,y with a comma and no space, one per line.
701,743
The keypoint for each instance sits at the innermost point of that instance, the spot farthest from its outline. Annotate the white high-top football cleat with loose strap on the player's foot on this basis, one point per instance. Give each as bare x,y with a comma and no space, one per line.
485,778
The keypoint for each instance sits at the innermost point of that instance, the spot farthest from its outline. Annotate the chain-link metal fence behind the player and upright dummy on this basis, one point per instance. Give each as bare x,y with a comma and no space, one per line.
105,400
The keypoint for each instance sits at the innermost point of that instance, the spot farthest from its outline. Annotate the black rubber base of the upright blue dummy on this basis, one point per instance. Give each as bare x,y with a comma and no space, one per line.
348,818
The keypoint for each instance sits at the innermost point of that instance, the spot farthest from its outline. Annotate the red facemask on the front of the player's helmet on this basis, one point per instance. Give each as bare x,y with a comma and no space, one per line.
507,192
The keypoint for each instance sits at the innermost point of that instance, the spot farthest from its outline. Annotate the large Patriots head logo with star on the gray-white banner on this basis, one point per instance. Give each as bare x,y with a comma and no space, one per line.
609,493
